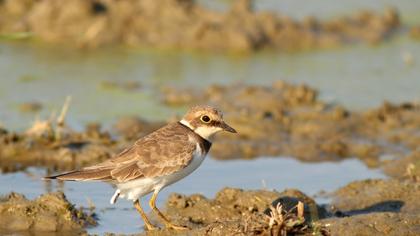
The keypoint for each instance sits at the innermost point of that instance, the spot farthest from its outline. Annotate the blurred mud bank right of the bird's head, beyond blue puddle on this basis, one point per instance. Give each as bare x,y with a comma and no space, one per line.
289,120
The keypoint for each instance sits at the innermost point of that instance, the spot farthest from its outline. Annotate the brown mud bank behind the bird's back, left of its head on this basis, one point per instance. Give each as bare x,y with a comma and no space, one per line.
52,144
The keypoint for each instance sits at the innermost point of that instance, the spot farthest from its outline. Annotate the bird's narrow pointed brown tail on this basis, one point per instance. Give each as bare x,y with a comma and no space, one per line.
83,175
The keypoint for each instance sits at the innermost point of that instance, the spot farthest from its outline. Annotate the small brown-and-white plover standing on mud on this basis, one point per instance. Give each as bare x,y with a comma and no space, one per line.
157,160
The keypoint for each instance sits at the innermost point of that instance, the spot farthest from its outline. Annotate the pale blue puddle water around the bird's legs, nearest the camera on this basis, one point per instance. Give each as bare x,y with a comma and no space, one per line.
212,176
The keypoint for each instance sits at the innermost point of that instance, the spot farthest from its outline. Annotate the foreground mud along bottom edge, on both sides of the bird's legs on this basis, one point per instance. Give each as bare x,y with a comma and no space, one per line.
369,207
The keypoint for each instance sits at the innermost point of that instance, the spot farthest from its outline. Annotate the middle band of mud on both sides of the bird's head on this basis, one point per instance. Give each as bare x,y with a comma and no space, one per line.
277,120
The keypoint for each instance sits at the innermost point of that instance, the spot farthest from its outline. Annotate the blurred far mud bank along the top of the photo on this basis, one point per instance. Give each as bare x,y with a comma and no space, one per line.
186,25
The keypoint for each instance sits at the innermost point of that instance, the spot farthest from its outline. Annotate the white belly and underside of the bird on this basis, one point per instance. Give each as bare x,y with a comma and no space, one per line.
135,189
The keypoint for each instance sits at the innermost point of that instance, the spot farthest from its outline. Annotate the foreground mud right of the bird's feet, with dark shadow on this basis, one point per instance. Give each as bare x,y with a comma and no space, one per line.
386,207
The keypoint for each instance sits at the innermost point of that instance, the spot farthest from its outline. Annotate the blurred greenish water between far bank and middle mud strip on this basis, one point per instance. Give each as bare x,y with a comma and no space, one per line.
358,77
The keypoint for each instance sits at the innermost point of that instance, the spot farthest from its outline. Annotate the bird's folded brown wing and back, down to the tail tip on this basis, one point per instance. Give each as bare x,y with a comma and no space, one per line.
162,152
